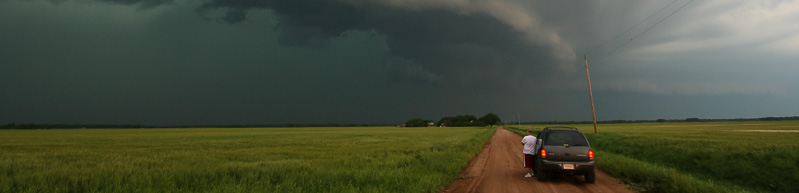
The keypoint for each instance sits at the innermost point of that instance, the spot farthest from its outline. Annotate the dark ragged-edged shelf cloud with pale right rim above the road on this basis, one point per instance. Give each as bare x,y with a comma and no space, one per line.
426,46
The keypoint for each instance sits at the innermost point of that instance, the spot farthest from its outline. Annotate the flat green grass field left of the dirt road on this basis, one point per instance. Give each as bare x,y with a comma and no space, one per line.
376,159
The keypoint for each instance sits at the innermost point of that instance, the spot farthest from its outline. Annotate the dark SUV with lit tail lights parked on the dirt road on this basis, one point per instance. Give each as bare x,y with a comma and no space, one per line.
564,150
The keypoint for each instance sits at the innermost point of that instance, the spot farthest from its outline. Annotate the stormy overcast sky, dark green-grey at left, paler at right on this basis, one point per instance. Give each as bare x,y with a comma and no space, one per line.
200,62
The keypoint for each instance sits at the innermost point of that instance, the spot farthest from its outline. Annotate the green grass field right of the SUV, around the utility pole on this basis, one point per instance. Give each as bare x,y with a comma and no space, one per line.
698,157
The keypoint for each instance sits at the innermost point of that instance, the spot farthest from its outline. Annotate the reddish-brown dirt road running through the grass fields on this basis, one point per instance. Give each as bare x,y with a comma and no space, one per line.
498,168
